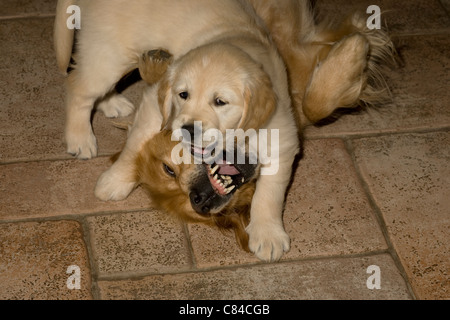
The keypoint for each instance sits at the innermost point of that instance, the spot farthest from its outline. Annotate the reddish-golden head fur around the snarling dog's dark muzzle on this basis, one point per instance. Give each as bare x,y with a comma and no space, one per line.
172,193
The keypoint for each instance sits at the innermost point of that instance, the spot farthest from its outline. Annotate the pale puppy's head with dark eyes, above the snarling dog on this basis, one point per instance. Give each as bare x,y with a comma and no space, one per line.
219,85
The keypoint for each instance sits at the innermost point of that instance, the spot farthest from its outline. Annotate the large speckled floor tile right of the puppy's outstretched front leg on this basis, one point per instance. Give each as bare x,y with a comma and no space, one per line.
327,211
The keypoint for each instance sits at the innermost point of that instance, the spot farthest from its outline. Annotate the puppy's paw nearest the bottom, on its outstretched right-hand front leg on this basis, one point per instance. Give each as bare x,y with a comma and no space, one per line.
267,241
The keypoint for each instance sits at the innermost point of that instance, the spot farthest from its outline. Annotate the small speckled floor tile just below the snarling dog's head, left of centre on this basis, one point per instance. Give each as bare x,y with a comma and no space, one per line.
146,242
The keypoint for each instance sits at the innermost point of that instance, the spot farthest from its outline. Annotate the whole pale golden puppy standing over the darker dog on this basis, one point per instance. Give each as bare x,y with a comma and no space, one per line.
225,65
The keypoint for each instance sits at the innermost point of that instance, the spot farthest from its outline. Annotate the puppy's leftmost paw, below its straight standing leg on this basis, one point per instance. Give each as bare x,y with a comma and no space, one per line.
81,143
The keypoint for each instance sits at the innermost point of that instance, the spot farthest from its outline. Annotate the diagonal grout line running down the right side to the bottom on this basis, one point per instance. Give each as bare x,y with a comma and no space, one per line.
379,217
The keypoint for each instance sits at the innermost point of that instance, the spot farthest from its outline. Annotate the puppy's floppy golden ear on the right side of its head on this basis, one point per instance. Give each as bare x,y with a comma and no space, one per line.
259,103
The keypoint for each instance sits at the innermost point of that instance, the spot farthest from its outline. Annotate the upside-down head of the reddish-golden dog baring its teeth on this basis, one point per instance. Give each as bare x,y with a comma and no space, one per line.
218,194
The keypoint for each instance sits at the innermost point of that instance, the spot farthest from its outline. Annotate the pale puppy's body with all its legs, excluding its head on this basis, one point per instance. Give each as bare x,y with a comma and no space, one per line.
112,38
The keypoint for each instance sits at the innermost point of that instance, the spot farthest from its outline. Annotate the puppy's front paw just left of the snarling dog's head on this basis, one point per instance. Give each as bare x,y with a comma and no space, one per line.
111,186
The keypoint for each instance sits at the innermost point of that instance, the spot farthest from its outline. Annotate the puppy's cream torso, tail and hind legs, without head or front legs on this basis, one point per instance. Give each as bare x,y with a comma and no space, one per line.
115,33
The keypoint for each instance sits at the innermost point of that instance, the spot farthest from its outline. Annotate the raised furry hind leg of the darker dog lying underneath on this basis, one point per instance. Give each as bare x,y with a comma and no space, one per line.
348,72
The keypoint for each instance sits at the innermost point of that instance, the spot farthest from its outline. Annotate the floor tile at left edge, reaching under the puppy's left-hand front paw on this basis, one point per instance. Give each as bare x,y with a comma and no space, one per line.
54,188
